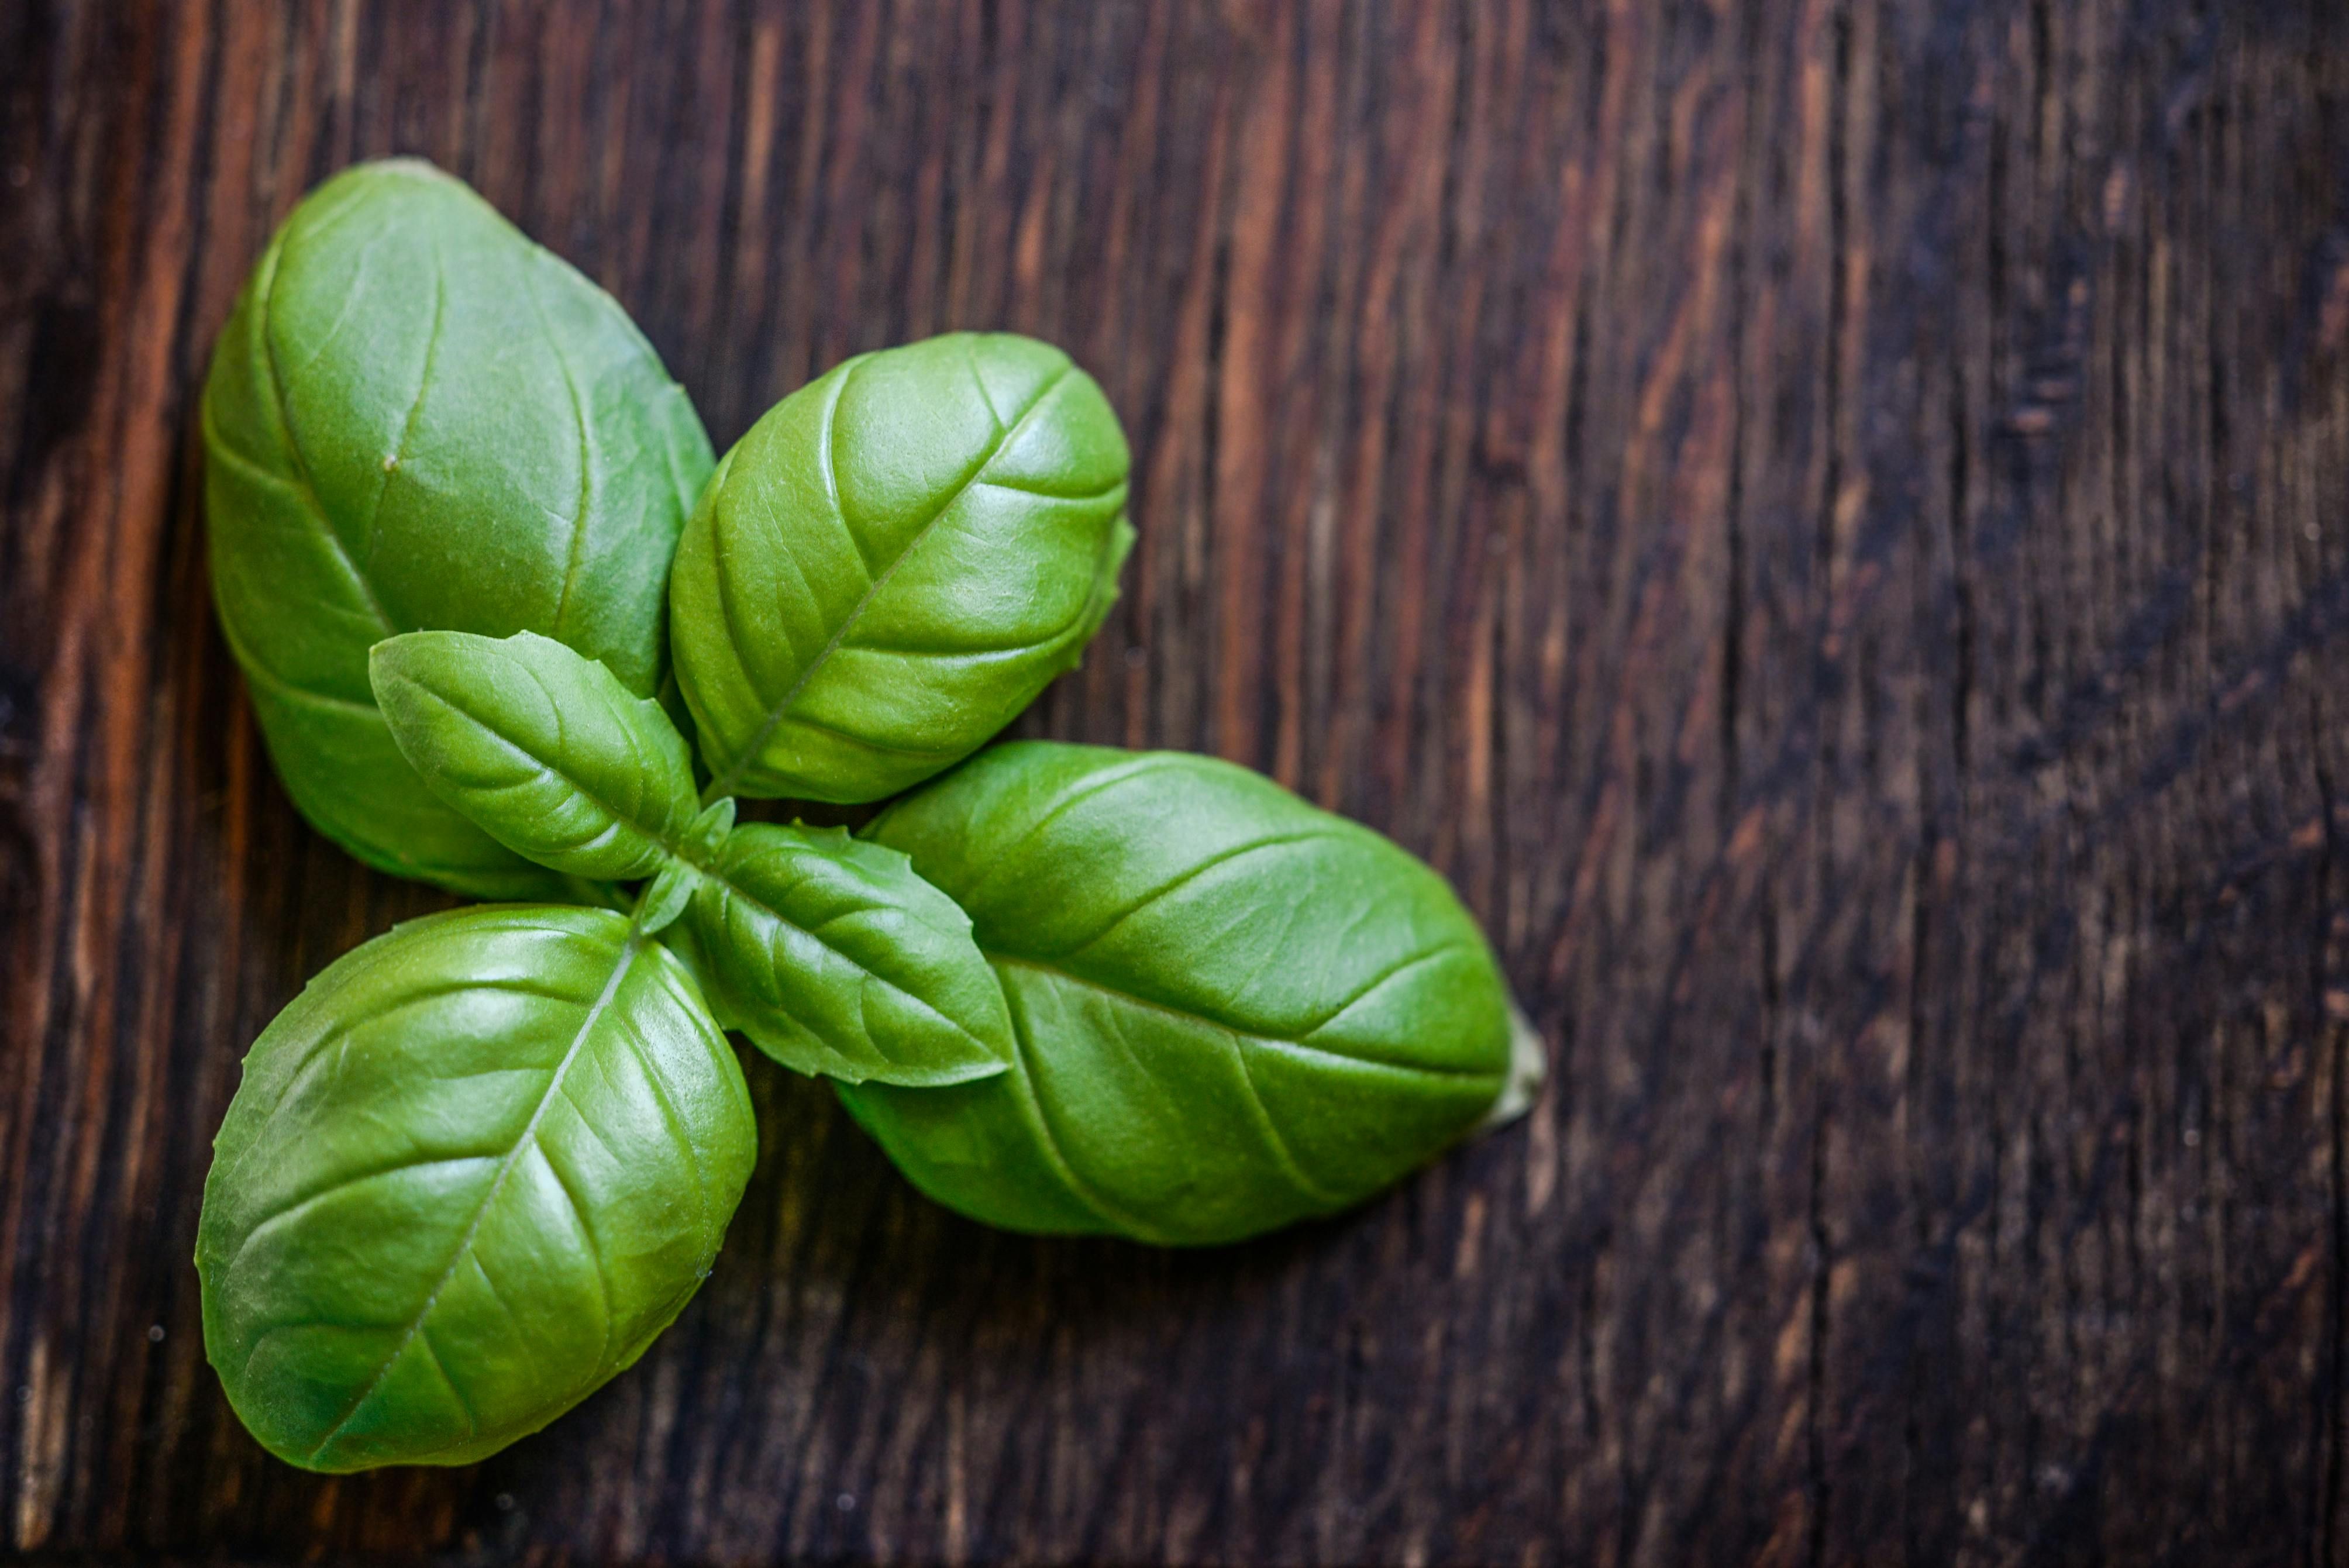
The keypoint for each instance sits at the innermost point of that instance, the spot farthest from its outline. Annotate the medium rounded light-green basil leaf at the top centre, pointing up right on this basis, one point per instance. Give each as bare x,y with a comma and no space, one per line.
894,562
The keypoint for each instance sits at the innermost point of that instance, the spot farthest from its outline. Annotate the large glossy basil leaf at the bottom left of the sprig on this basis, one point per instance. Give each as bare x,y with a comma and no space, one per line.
471,1172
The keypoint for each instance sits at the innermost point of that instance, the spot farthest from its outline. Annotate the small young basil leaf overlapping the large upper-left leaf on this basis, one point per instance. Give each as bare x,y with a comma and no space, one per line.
541,748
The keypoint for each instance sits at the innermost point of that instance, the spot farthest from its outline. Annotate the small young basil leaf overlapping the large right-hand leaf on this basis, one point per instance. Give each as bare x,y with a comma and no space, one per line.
835,959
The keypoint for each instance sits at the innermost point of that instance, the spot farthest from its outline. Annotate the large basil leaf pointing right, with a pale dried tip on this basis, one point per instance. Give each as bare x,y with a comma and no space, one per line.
1232,1011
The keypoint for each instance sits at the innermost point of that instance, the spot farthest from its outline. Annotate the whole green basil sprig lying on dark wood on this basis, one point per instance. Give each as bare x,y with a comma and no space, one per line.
485,1158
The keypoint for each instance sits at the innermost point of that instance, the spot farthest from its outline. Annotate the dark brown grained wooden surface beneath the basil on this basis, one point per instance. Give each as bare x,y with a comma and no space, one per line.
1826,518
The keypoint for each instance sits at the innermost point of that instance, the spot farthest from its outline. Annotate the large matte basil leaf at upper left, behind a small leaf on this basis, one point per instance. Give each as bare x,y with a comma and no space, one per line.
419,419
